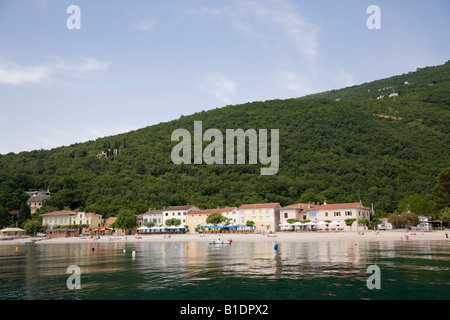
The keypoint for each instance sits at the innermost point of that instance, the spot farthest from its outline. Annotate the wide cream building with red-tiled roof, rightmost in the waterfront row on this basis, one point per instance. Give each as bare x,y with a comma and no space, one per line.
339,212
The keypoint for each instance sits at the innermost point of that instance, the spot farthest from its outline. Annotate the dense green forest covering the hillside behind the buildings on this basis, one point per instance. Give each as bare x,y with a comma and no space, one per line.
340,146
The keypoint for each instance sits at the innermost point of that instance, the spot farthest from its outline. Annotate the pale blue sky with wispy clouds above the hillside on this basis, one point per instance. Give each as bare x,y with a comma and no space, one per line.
132,64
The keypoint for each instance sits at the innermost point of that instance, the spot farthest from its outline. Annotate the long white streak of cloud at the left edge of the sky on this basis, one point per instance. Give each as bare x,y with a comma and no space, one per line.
13,74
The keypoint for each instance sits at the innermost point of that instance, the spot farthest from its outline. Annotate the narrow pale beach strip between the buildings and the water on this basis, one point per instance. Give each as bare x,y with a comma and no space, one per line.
391,235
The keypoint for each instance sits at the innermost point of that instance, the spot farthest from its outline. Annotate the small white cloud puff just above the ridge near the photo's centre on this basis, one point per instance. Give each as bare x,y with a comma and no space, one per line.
220,86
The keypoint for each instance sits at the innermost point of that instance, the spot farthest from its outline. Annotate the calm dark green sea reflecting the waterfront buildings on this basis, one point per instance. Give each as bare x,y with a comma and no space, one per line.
241,271
